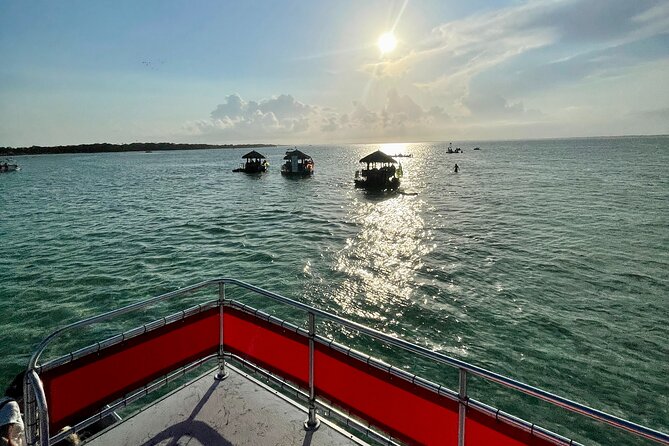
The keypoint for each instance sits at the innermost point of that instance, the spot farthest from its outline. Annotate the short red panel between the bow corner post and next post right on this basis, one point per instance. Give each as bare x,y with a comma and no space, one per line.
277,349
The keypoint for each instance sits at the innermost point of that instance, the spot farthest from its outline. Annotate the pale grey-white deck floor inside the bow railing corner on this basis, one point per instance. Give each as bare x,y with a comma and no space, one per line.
236,411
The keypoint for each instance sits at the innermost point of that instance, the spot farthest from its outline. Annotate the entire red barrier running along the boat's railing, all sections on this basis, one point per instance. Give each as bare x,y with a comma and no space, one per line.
402,409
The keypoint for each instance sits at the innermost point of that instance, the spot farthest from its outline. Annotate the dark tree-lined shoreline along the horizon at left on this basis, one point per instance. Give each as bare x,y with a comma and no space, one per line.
132,147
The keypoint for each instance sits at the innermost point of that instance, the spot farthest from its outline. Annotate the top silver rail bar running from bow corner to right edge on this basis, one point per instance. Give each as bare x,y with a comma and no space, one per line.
478,371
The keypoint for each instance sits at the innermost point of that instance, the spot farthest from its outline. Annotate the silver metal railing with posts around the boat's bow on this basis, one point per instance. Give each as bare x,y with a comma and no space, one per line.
37,420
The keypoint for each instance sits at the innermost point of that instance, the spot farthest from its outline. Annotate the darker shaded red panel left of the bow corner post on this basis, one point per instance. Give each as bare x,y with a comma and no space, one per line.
81,388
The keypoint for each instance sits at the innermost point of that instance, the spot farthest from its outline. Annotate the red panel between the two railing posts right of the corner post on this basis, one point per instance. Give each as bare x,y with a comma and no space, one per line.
404,410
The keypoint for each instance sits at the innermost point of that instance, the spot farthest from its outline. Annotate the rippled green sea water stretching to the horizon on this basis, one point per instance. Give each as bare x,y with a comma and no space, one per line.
546,261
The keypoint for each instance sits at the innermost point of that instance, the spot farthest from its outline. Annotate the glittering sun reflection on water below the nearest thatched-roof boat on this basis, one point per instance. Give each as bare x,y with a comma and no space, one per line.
380,261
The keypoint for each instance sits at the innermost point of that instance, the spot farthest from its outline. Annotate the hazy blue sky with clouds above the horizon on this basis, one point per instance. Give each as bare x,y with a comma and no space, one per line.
225,72
